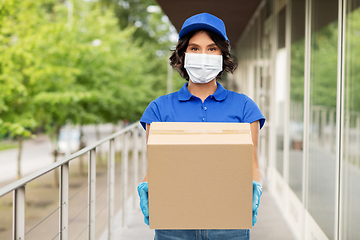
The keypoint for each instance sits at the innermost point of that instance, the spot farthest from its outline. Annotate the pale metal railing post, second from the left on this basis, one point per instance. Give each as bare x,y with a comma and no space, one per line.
64,201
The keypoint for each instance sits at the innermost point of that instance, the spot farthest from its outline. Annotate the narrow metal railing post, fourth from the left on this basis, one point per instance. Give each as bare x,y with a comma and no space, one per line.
111,188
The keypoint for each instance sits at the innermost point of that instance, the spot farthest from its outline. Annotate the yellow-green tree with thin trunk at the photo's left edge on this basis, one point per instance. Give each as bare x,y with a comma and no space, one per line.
16,111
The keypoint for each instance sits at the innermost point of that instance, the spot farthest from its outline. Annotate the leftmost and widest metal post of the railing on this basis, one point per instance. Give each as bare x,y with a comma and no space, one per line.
19,213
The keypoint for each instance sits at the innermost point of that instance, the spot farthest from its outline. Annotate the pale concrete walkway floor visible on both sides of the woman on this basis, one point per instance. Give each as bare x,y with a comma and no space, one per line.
270,225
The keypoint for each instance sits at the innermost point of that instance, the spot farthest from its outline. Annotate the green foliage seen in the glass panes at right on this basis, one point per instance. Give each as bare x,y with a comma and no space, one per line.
324,56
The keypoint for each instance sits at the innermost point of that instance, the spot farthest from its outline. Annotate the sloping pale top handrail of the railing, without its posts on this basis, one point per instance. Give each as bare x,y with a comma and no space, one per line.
23,181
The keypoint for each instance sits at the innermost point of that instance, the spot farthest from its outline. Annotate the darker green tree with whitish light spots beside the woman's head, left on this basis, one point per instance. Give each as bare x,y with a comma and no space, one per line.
154,33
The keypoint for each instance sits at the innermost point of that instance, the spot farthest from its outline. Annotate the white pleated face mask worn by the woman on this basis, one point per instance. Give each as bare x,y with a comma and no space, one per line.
202,68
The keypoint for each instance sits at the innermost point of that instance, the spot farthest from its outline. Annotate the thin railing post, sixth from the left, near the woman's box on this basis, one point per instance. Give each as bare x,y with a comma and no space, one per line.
135,156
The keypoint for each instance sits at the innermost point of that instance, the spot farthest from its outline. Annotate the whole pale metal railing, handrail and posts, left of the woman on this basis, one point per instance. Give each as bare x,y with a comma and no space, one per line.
132,140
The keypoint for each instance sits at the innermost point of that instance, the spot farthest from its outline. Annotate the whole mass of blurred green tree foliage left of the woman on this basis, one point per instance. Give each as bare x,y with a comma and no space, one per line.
59,65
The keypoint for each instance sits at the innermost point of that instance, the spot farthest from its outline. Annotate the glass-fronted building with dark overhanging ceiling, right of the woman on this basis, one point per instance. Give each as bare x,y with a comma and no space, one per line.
298,59
